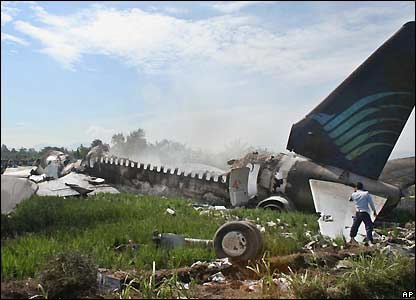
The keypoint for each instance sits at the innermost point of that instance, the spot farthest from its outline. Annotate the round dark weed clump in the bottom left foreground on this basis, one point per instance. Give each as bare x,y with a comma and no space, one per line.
68,275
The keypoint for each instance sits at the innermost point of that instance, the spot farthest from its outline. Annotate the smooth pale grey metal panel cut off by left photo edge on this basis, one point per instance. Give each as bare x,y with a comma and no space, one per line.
14,190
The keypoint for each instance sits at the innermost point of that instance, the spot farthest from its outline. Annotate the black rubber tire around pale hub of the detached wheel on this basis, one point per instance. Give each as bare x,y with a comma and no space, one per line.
251,235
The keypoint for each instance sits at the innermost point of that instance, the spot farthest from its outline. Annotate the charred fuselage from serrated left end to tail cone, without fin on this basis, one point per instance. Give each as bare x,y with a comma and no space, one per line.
283,175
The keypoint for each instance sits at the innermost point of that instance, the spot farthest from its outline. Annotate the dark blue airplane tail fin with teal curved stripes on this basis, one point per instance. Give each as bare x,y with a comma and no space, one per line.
357,125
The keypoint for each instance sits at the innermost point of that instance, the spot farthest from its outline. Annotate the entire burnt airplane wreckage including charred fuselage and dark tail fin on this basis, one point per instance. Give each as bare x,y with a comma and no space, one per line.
347,138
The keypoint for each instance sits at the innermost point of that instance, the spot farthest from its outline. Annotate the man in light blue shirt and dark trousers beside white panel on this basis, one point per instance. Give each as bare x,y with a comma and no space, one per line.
362,200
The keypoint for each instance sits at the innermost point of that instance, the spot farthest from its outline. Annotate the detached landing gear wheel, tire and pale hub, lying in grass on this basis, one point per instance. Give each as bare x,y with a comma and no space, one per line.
238,241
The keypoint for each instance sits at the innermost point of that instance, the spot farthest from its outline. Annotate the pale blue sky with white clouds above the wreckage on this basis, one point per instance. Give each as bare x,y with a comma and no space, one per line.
201,73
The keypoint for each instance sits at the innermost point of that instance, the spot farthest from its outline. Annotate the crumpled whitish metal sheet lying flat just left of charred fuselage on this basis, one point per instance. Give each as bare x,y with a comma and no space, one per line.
73,184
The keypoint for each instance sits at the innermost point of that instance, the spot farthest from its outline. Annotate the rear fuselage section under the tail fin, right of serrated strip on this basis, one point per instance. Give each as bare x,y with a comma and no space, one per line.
288,175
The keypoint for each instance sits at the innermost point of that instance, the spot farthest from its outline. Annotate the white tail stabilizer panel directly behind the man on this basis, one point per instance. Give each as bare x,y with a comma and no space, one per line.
331,201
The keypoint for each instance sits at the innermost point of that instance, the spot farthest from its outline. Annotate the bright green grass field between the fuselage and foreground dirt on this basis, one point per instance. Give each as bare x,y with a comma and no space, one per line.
42,227
